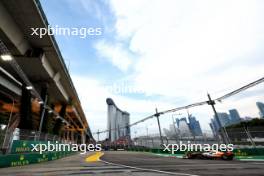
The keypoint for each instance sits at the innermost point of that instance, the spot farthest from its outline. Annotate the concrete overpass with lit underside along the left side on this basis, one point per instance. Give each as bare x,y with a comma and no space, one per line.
36,90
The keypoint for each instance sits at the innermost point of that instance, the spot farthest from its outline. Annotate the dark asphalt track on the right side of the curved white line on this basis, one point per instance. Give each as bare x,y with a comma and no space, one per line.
185,166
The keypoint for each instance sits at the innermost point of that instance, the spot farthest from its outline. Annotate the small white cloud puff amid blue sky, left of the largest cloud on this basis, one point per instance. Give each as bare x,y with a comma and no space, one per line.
114,53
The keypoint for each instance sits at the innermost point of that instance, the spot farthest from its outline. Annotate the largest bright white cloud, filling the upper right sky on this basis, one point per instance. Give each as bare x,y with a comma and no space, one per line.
179,42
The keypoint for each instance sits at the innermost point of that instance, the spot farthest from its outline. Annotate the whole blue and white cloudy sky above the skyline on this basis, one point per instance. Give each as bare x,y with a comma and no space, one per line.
162,53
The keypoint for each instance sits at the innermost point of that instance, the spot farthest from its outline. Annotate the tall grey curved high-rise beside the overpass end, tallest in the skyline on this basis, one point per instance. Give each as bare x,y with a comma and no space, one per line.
118,121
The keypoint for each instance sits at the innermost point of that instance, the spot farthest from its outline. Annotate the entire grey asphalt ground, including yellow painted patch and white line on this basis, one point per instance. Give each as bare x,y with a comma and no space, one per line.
121,163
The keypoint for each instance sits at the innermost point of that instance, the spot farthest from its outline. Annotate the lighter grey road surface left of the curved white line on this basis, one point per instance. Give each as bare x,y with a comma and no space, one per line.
74,165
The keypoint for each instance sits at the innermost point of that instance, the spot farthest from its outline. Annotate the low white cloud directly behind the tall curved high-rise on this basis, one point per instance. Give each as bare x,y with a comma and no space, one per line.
93,94
